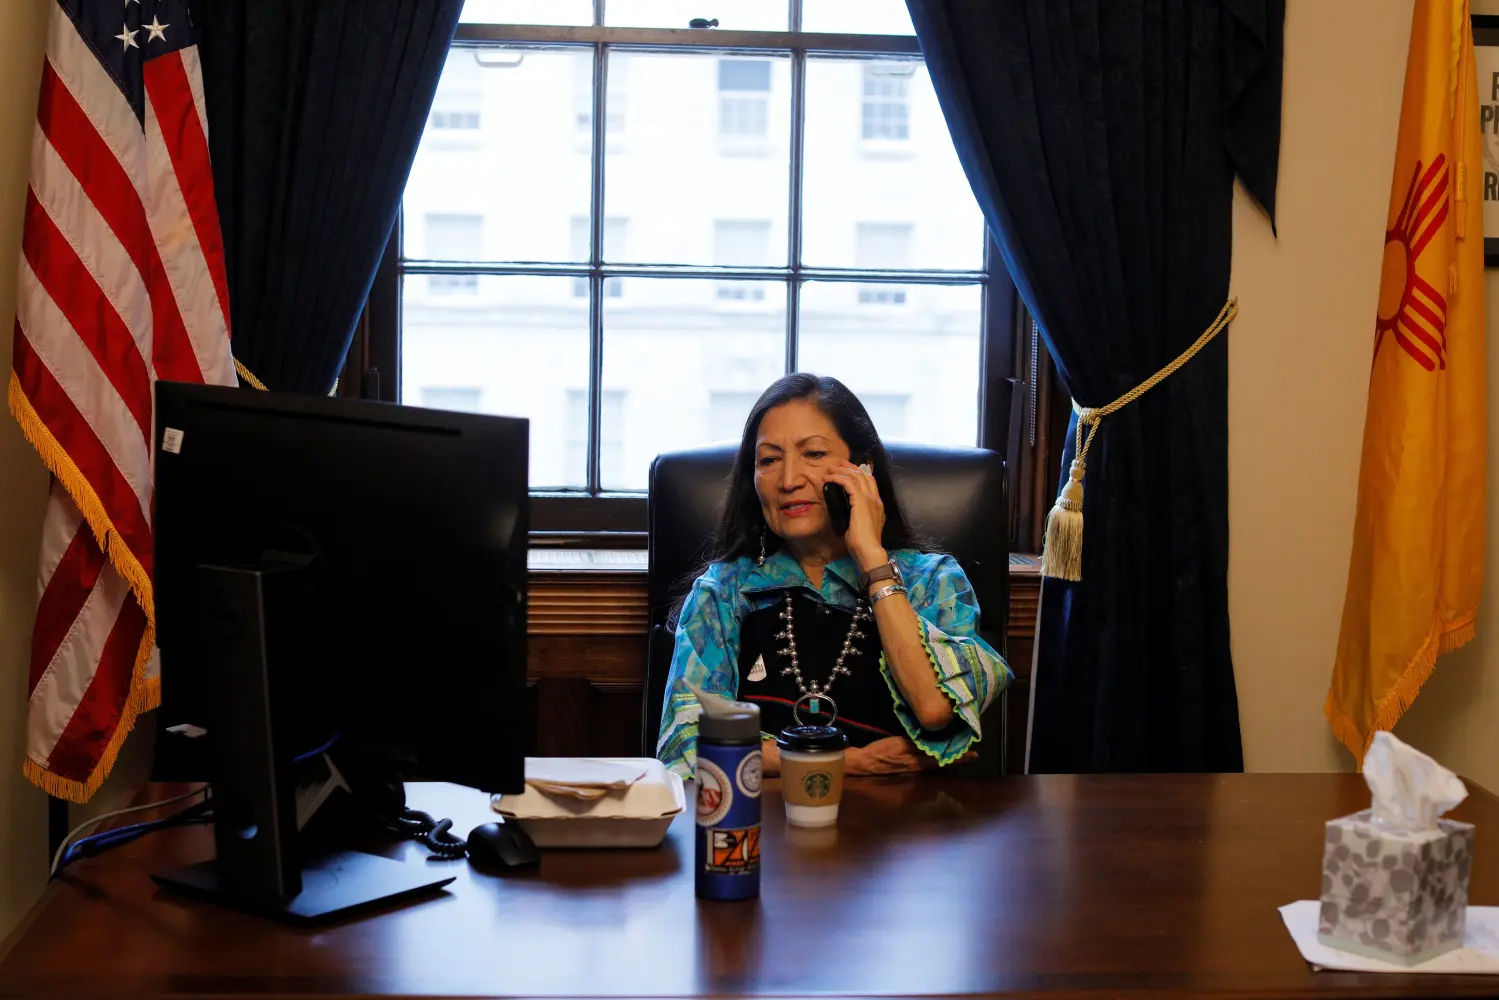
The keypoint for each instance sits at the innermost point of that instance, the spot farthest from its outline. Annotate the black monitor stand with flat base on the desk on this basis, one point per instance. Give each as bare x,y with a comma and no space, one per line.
263,866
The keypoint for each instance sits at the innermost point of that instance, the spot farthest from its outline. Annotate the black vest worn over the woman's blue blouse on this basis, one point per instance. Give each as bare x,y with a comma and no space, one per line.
866,705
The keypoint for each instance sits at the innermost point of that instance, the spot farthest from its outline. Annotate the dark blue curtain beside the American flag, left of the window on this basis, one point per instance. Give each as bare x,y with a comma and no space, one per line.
316,110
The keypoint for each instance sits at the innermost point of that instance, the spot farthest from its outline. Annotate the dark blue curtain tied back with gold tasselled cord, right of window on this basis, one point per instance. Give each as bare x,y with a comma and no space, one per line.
1103,139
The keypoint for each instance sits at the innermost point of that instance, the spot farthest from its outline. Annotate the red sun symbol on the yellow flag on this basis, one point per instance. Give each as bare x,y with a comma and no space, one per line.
1410,308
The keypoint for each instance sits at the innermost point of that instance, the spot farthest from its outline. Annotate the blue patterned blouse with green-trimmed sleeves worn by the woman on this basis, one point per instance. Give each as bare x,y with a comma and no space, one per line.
969,671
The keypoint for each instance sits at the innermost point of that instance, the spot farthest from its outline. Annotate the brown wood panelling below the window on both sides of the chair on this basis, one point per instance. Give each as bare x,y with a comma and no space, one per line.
587,654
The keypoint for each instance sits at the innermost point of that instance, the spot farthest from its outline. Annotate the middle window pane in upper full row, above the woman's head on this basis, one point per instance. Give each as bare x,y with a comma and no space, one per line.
719,131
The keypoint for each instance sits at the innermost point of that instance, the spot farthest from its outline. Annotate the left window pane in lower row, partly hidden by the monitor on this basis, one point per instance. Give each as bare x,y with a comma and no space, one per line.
516,347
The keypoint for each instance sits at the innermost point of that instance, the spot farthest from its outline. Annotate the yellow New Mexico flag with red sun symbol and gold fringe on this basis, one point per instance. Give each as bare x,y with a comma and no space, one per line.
1419,537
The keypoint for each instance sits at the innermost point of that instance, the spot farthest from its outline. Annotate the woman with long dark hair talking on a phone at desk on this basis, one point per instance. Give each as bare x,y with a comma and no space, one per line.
819,591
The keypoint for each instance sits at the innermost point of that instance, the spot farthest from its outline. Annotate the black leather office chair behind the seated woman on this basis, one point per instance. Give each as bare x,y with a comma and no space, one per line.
956,497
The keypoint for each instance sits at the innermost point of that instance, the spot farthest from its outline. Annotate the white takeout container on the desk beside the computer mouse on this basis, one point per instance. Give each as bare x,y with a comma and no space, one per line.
638,816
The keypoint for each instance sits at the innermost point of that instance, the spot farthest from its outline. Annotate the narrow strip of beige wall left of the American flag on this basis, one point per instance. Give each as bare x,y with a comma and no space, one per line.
23,482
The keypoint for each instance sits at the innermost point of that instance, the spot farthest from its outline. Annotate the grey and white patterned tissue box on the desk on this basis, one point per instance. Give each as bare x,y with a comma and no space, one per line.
1401,899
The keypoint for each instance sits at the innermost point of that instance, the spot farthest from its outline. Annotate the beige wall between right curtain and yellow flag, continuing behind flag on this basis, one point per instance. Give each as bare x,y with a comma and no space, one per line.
1297,394
